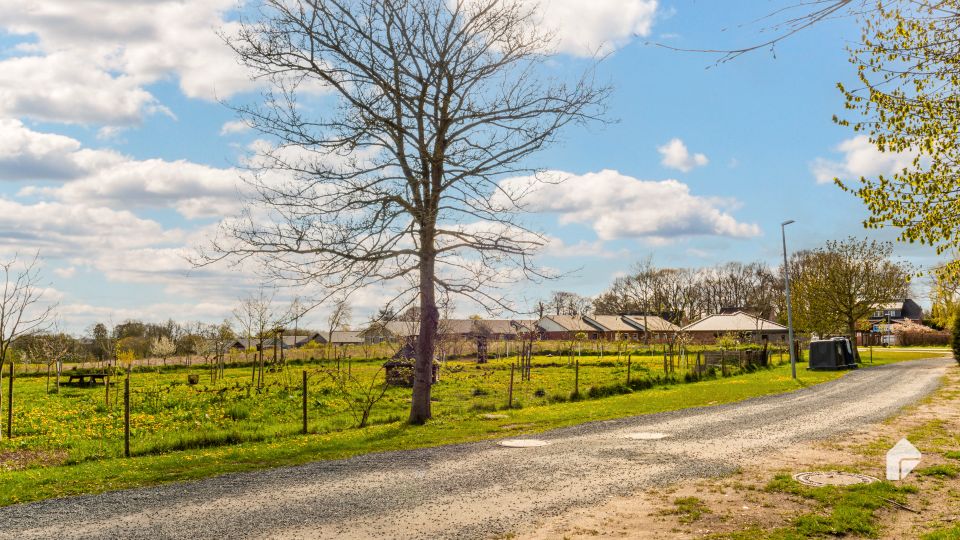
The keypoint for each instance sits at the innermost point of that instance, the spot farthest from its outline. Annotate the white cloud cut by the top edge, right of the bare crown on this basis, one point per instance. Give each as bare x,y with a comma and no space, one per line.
598,26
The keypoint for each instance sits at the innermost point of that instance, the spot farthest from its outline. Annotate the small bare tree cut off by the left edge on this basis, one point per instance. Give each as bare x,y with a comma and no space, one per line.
21,311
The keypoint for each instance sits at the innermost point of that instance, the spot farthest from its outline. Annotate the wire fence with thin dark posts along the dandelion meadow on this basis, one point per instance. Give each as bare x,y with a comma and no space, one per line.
169,409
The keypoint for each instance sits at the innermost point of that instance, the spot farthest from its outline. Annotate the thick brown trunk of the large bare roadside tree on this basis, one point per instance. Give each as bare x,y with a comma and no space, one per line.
426,342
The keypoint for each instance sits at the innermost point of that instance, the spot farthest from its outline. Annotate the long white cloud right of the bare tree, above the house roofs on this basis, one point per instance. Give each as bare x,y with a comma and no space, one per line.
619,206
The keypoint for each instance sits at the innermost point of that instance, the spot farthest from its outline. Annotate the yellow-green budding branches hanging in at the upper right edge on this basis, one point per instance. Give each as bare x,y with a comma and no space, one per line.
909,102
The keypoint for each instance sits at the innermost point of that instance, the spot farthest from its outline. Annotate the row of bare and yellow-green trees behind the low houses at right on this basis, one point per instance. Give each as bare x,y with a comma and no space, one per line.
834,287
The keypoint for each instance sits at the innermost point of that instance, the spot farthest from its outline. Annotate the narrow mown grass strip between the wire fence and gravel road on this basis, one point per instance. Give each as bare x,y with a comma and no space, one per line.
39,483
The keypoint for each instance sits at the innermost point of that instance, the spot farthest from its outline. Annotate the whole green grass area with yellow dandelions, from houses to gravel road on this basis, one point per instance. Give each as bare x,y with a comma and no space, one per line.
72,442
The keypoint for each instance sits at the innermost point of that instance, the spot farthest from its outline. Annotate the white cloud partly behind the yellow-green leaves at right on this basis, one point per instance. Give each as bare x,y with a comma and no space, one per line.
861,159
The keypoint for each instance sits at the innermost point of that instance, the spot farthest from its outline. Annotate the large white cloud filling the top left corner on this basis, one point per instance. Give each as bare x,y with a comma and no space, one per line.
92,58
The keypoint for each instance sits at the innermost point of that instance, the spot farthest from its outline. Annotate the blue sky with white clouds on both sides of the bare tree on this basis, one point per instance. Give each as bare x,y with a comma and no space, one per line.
115,160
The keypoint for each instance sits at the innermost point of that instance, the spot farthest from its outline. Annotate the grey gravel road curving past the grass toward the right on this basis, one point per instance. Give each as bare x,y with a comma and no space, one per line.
480,490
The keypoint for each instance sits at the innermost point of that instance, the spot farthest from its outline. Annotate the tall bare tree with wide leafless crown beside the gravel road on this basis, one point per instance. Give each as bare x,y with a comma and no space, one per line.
437,102
